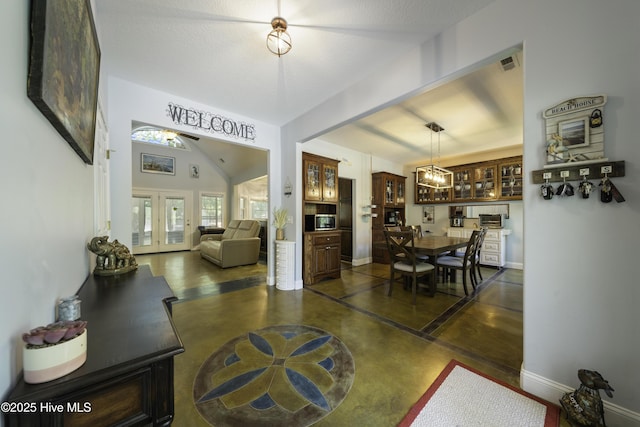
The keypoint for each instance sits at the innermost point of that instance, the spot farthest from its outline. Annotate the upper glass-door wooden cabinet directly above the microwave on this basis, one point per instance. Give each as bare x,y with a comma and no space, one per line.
320,178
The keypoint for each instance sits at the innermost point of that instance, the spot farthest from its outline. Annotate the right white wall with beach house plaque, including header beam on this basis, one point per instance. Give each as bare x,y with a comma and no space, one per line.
581,291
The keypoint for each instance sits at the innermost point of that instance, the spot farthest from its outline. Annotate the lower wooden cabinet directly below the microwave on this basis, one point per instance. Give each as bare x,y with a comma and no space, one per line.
322,256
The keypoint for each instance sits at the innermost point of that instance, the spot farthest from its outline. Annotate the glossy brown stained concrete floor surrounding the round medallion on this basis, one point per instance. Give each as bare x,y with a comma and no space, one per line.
398,349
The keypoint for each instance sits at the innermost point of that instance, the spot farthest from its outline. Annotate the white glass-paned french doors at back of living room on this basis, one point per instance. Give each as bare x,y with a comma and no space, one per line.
161,221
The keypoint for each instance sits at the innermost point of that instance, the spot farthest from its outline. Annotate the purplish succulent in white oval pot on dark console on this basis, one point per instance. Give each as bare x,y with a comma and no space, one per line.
54,350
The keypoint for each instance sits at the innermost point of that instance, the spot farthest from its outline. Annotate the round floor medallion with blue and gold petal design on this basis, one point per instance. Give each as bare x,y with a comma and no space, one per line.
279,375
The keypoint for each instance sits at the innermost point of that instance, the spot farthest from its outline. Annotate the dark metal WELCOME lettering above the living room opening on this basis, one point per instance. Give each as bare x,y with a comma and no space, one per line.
210,122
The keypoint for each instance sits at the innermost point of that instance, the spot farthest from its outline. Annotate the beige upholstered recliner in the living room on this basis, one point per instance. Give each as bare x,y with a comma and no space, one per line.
238,245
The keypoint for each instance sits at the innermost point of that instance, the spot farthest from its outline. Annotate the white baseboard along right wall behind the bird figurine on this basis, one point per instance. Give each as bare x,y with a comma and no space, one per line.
615,415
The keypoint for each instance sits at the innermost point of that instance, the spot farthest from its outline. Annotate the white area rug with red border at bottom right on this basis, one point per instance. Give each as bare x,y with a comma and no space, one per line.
463,396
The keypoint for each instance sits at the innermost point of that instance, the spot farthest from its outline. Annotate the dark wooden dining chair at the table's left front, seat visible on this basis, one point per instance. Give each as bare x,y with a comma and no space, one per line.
404,261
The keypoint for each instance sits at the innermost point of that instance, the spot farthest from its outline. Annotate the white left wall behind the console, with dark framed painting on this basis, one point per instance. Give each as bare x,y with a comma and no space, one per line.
47,216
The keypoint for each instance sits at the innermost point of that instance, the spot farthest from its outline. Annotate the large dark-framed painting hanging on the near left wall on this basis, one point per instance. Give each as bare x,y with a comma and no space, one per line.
64,70
